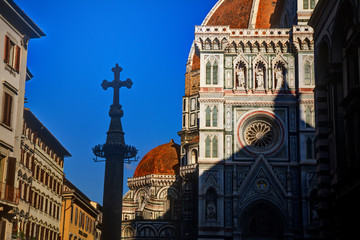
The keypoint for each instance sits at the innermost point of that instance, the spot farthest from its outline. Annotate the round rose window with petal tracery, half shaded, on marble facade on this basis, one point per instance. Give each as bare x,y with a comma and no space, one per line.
259,135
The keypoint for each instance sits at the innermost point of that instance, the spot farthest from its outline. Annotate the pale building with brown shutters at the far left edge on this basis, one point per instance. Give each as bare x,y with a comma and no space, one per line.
16,29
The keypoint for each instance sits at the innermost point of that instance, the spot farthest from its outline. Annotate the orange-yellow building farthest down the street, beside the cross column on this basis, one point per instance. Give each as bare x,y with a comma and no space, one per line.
80,217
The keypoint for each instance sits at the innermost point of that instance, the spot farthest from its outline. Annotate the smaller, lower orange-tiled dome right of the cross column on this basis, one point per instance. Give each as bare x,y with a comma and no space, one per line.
163,159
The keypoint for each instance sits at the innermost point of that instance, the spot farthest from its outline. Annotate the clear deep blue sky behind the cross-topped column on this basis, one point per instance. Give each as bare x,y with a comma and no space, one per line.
149,39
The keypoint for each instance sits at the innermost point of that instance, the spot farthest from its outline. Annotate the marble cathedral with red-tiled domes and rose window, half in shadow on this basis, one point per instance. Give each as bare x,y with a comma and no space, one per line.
245,168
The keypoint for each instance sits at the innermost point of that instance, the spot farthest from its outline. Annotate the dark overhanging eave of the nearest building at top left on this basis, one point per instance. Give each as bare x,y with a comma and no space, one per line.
34,30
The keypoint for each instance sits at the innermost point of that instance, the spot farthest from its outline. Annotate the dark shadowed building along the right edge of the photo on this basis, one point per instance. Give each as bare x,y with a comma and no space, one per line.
337,47
